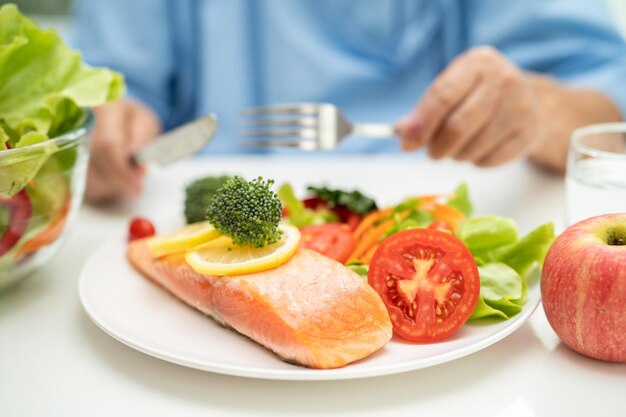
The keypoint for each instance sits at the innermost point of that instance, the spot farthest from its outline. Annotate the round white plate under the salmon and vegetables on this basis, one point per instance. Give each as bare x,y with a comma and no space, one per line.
146,317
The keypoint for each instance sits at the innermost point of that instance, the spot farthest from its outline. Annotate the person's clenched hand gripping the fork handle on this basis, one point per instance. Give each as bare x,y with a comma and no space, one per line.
481,108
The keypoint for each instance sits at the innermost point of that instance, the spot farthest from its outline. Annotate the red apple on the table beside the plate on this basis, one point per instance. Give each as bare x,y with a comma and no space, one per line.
583,287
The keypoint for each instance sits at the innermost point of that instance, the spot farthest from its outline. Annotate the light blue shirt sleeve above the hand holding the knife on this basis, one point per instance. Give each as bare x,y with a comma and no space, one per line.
132,37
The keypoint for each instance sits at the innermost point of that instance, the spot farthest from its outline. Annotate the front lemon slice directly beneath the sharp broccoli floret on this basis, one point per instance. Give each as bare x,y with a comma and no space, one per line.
233,260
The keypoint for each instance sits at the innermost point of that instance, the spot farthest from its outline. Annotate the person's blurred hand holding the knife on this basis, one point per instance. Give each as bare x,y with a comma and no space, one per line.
120,129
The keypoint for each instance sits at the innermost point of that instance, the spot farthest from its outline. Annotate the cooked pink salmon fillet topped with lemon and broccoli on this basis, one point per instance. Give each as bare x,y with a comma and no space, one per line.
312,311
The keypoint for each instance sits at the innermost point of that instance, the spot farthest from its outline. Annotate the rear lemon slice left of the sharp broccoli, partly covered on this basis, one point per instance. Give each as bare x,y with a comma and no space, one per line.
182,239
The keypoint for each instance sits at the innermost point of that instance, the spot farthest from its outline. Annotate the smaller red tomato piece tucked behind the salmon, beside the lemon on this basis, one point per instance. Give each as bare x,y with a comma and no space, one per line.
331,239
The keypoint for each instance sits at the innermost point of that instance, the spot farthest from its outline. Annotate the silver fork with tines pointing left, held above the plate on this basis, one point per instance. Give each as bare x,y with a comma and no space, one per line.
311,126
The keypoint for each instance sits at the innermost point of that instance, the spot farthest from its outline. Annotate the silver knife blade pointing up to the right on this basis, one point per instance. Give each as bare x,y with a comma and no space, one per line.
178,143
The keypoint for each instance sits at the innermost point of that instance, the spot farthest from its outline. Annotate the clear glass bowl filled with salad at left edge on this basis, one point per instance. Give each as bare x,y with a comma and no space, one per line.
41,190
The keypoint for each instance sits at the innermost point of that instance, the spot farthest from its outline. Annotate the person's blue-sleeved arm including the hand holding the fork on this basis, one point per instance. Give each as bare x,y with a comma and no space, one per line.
490,109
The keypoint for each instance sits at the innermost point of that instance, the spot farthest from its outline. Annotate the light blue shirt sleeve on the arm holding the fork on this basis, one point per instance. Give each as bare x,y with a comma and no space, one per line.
573,40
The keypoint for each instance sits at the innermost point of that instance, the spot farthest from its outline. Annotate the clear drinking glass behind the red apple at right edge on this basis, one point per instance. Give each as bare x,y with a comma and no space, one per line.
596,172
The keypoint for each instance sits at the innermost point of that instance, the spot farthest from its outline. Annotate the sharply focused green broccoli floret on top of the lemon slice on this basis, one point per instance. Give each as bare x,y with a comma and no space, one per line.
247,212
